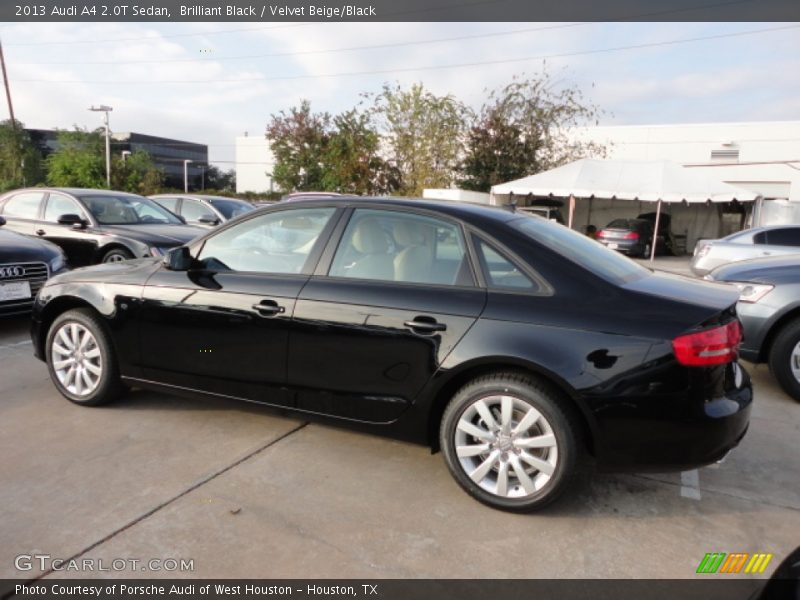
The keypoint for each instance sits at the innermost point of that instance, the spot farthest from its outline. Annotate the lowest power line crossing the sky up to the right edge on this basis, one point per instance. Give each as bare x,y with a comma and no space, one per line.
426,68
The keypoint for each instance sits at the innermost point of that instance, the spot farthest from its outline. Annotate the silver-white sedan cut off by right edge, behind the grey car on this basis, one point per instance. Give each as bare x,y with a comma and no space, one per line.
742,245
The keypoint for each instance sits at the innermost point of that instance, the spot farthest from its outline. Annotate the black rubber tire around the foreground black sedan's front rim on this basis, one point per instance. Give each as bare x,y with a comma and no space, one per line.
108,387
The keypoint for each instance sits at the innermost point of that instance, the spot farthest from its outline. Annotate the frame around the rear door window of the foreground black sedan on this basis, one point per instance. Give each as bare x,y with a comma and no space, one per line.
326,261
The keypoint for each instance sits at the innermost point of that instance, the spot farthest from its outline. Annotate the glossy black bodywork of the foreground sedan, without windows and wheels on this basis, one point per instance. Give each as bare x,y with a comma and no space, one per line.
348,353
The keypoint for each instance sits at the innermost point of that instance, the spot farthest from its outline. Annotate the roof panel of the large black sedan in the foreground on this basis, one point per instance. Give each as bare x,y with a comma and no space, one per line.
463,210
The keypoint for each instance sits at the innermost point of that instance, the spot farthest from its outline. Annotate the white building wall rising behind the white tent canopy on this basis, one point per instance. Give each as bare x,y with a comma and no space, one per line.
762,146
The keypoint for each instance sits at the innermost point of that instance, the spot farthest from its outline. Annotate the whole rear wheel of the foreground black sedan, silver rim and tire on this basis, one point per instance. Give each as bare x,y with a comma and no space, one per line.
510,441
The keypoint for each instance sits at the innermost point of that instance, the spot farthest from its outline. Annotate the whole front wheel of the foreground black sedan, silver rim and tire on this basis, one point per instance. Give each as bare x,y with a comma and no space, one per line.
81,360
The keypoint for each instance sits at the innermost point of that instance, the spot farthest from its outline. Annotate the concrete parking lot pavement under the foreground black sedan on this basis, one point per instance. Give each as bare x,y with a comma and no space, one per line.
245,493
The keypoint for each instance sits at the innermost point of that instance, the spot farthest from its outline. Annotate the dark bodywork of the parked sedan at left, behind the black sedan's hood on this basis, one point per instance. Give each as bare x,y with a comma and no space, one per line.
87,244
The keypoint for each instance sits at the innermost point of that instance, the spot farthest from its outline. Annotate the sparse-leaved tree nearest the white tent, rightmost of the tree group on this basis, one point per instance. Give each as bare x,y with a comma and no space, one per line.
523,129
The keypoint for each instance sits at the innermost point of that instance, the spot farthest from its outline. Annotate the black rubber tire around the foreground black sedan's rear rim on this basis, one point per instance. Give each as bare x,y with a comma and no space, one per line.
561,422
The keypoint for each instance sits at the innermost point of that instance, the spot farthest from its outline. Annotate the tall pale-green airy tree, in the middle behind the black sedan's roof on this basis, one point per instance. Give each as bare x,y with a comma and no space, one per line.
424,134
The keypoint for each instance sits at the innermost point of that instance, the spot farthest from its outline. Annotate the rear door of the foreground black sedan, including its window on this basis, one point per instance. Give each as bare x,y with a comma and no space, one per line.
386,305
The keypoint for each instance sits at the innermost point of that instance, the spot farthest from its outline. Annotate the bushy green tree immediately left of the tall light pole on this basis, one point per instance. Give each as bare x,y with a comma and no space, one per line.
79,160
